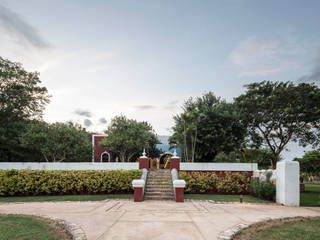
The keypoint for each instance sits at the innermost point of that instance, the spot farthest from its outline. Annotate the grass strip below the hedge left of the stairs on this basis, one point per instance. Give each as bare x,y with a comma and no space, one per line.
66,198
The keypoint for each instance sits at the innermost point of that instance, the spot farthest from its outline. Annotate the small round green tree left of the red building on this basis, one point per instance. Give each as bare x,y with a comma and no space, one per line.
58,142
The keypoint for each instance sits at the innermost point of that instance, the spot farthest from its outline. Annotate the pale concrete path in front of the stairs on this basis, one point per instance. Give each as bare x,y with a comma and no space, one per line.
124,219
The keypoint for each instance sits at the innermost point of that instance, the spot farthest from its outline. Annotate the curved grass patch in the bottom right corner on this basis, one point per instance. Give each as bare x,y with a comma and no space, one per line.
306,230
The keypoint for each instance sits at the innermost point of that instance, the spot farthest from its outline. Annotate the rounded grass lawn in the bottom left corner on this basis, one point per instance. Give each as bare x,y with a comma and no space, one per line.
29,228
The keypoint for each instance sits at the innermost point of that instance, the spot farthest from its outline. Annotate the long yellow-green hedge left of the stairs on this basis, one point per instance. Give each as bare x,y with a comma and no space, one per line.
56,182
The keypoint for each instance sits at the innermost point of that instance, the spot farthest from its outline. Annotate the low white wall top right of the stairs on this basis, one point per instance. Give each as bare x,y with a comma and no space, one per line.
218,166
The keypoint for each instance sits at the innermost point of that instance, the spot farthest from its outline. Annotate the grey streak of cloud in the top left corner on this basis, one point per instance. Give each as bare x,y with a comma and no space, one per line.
16,27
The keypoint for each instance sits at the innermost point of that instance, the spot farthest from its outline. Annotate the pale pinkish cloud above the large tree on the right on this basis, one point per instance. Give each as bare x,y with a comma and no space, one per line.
260,57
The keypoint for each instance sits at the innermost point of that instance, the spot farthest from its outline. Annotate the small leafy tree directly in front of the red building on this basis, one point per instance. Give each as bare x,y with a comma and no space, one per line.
128,137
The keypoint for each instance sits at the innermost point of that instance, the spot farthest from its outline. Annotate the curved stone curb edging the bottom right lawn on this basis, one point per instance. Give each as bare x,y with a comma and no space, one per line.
230,233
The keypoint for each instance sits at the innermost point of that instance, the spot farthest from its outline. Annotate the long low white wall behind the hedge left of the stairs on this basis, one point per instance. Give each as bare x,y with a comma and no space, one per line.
69,166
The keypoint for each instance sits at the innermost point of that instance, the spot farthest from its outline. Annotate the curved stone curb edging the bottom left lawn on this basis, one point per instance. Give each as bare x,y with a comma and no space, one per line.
76,231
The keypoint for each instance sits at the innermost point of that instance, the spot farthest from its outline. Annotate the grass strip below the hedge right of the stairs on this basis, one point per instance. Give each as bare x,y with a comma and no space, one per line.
224,198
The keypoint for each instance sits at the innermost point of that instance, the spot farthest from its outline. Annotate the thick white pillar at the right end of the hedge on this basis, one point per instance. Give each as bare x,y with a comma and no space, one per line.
288,185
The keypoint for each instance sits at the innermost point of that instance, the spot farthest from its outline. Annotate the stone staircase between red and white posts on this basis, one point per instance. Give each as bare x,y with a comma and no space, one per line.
159,185
